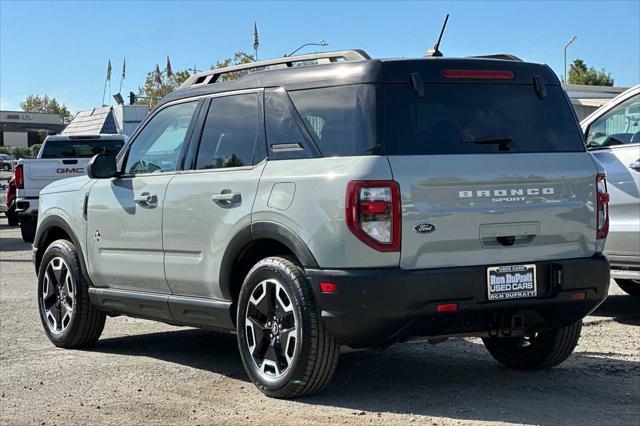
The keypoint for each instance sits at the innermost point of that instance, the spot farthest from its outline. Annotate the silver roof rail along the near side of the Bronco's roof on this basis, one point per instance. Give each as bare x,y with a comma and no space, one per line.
211,76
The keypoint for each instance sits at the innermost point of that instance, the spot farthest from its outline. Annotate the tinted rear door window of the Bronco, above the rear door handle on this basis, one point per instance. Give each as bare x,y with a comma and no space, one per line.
230,132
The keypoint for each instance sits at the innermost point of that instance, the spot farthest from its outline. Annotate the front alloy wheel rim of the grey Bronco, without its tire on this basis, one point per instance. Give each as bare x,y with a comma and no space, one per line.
57,296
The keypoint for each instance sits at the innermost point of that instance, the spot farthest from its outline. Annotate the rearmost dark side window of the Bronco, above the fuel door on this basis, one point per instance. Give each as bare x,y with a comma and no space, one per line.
340,119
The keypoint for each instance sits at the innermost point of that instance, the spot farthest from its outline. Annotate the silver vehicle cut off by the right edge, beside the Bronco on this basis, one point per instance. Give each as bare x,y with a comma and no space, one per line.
613,137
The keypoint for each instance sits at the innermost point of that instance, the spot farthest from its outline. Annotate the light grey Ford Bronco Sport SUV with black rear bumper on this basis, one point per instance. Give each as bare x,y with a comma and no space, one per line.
334,199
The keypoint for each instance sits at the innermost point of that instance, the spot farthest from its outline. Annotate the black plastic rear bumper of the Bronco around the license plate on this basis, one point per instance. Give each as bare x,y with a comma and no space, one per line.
374,307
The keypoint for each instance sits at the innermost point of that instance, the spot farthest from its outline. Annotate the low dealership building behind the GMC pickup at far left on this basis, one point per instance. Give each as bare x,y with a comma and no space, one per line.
19,128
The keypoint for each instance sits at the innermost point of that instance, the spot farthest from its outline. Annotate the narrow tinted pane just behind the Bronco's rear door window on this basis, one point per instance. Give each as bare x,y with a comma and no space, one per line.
285,138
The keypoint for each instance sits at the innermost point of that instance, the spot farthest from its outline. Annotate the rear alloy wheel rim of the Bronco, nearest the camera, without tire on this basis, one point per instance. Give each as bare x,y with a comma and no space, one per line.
271,326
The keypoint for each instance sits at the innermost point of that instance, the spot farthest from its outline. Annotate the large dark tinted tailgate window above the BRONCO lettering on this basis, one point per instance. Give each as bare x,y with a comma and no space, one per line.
478,118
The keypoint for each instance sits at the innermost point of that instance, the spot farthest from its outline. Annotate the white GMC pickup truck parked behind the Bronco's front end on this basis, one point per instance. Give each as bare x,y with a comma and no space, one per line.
60,157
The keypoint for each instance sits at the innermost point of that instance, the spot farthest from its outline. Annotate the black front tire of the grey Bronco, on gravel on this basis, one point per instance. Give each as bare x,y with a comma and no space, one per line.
86,322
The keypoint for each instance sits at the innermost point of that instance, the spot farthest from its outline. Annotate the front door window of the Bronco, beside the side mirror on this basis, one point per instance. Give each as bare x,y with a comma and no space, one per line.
157,147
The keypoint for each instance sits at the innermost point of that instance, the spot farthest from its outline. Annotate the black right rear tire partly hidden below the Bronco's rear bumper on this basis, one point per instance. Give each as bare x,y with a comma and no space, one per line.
545,349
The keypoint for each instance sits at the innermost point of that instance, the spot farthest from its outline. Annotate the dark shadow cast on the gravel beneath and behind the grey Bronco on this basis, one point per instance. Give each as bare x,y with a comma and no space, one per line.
456,379
